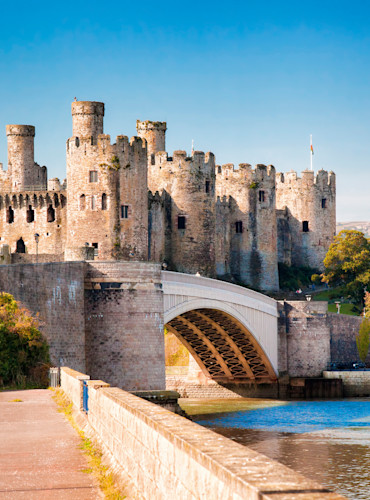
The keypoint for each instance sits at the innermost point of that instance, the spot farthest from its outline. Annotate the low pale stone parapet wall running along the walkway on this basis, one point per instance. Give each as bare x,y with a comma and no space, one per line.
167,456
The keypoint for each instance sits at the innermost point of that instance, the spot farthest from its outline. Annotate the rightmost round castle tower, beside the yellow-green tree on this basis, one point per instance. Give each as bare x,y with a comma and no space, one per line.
311,200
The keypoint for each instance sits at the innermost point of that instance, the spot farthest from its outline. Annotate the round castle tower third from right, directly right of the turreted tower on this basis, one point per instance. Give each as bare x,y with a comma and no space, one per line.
189,186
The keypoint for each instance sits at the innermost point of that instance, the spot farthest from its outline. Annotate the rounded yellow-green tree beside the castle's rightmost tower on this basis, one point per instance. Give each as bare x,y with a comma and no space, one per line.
347,263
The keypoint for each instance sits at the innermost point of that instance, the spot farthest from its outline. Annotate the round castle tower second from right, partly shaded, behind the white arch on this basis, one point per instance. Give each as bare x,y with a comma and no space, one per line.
251,223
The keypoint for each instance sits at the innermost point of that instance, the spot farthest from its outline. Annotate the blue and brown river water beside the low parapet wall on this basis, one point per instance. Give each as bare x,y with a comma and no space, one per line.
328,441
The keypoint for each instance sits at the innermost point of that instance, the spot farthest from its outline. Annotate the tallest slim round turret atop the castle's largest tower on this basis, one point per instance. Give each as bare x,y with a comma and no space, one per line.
87,118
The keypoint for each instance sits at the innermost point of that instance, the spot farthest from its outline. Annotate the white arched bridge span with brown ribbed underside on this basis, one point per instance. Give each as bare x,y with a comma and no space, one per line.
230,331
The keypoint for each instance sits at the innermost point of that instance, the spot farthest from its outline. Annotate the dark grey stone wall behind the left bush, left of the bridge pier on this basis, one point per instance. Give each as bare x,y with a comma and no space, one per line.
55,292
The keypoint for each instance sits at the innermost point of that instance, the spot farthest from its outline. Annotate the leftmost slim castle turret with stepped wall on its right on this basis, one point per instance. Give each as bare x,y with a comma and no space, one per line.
22,170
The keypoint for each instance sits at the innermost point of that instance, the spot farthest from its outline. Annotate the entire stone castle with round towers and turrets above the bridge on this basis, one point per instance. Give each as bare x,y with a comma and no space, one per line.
131,201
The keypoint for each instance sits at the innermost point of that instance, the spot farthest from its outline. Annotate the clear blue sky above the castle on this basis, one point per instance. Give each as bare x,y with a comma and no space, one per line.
247,80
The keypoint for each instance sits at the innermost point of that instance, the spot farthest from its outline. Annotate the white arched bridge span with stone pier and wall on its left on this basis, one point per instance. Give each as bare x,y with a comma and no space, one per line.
107,319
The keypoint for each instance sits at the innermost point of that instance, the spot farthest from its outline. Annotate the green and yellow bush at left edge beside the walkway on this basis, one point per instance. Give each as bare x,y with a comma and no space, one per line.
24,353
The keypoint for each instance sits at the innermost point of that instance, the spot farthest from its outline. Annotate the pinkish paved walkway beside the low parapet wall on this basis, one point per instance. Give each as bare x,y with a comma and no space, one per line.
39,454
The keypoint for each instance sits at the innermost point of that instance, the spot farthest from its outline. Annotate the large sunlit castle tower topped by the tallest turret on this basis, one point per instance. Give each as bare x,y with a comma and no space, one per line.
107,190
